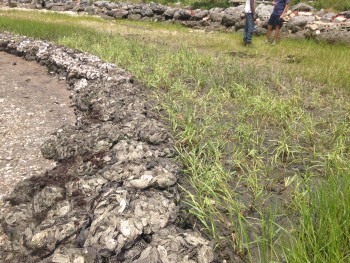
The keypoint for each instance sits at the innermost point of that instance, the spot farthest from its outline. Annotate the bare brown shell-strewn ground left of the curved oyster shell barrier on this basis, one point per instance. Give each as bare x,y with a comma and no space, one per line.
33,105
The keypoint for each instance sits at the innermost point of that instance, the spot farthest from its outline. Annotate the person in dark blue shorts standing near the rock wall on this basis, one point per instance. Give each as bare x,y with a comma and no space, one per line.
276,19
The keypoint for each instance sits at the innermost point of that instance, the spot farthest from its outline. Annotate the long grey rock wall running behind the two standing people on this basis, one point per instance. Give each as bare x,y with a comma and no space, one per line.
302,20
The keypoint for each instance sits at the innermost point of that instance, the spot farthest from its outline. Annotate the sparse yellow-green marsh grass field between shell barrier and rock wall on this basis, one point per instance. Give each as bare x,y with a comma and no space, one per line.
259,136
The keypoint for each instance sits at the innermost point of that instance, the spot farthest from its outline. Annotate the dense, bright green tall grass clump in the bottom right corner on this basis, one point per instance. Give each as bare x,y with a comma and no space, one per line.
323,234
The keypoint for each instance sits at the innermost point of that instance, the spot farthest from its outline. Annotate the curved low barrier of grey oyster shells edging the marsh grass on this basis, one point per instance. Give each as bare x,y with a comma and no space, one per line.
112,196
